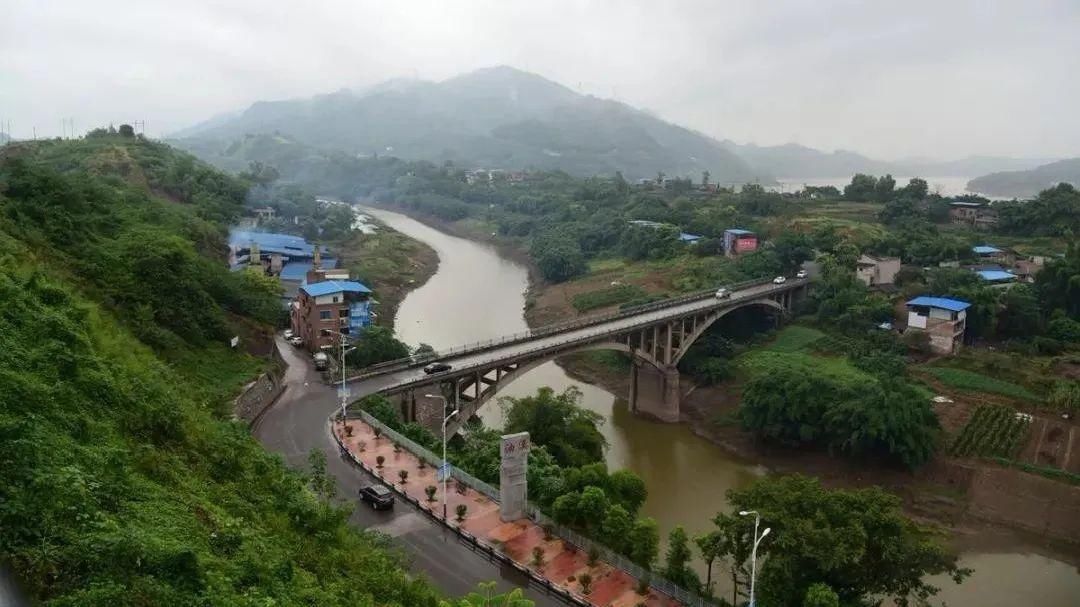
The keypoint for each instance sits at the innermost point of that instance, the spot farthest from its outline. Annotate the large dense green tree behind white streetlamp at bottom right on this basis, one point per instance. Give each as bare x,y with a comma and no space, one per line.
857,542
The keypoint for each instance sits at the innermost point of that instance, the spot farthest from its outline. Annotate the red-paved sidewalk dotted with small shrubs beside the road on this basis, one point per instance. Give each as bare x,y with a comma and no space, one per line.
563,565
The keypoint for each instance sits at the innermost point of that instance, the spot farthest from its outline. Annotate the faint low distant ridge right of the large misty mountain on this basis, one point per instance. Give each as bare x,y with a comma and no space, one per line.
793,161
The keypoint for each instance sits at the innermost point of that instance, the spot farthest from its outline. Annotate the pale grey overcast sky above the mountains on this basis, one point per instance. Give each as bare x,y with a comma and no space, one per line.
890,79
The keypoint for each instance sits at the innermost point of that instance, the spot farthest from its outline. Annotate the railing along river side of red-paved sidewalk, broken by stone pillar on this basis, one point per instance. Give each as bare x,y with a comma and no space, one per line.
570,536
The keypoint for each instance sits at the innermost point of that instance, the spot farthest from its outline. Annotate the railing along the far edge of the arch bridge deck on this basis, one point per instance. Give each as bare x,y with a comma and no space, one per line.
544,331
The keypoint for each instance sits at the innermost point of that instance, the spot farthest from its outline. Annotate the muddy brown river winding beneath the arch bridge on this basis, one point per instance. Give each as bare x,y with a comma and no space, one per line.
477,294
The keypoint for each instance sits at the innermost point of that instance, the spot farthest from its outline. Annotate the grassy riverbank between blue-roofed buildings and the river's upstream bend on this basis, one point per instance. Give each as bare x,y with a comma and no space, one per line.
391,263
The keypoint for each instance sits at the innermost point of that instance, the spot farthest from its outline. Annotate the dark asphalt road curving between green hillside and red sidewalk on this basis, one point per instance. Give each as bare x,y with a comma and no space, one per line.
298,424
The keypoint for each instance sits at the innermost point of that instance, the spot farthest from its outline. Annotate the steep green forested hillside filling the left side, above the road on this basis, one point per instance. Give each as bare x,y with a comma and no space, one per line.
123,481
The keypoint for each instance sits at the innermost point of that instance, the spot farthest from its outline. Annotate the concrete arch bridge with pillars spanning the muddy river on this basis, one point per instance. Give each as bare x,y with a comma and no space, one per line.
656,336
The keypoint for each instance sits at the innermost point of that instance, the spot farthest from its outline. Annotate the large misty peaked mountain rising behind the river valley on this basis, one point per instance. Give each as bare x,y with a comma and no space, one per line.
494,118
